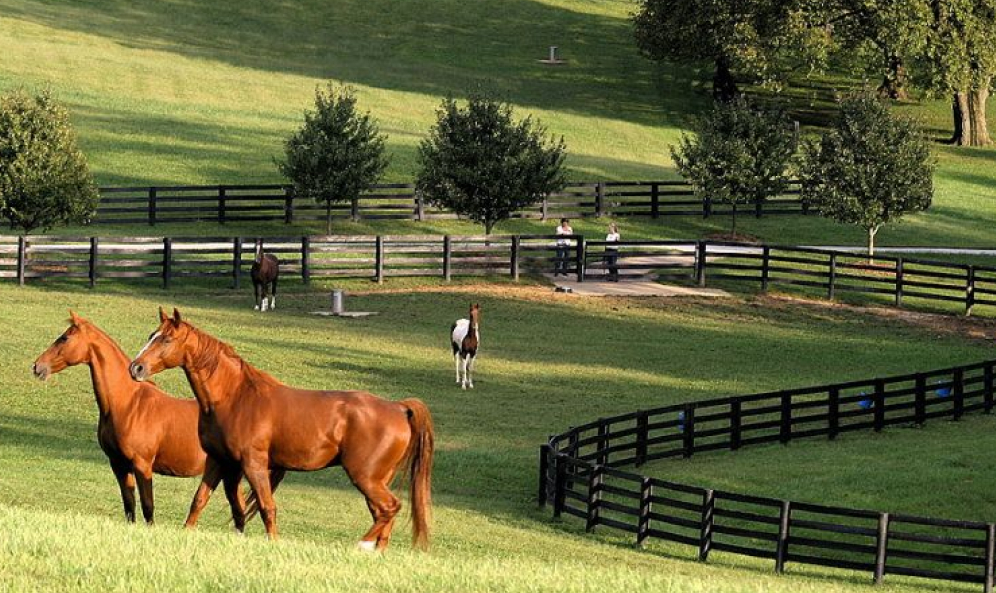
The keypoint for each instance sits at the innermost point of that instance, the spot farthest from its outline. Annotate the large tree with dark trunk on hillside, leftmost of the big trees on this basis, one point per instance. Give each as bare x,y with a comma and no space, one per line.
757,37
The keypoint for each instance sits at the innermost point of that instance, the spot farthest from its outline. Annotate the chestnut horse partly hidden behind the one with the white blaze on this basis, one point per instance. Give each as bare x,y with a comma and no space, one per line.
142,430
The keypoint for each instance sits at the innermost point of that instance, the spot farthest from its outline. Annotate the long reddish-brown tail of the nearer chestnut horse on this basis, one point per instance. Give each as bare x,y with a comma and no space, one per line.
419,461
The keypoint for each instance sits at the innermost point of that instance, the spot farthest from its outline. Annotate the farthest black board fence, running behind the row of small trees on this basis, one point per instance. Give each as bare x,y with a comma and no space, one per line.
239,203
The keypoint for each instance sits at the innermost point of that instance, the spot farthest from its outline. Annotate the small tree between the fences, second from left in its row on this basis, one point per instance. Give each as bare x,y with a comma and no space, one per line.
338,152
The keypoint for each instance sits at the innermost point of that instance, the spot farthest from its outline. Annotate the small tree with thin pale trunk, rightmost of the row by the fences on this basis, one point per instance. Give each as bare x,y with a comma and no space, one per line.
870,168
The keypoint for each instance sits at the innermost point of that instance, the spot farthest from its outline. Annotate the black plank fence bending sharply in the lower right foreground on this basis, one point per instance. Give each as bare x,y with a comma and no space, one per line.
579,476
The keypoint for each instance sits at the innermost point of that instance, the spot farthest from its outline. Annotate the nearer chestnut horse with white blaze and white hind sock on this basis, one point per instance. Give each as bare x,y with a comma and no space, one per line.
251,423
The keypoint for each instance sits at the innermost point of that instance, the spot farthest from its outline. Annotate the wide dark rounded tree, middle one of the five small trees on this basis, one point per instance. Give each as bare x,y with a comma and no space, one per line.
480,163
